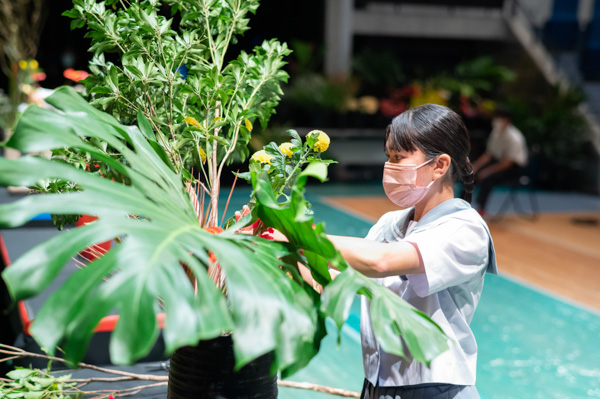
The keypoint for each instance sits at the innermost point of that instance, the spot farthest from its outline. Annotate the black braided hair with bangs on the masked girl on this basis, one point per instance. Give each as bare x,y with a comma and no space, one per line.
435,130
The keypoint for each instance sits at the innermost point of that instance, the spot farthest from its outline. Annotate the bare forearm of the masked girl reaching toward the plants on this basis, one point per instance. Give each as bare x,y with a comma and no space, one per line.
376,259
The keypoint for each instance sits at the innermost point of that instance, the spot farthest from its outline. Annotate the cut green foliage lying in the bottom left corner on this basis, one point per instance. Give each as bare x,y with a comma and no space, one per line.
35,384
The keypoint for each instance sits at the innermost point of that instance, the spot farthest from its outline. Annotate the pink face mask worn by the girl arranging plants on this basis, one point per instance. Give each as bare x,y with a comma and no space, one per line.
400,184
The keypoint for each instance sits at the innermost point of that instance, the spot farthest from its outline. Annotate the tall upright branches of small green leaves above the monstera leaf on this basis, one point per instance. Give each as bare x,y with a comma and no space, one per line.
152,56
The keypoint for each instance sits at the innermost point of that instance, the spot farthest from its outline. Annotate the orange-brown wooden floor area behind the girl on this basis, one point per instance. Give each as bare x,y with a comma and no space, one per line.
558,252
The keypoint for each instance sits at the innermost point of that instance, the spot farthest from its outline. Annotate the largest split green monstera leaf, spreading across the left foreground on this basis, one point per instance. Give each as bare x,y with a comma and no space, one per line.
264,309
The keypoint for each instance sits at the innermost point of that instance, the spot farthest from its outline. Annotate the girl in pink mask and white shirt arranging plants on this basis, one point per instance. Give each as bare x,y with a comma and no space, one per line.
434,253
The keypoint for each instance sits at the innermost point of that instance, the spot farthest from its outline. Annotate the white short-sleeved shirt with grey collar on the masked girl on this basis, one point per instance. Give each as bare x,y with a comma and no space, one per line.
457,251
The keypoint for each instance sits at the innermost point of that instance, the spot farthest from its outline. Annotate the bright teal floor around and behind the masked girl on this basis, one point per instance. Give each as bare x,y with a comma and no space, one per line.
531,344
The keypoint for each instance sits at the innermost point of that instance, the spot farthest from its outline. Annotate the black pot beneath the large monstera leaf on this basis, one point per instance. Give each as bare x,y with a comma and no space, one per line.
206,371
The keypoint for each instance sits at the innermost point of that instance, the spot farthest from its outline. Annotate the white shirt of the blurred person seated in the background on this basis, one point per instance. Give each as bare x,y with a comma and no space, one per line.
508,144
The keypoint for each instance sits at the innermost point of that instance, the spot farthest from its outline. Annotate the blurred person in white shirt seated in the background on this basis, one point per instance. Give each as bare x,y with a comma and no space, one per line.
504,159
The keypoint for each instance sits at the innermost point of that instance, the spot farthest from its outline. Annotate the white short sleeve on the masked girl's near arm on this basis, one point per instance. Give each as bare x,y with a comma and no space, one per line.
453,252
